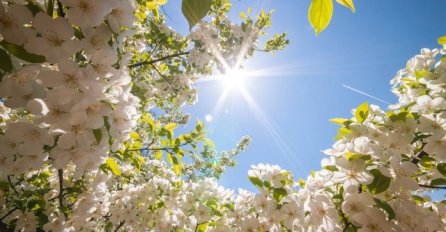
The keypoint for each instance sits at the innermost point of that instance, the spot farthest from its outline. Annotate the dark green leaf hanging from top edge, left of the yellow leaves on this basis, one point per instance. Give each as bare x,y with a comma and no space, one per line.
195,10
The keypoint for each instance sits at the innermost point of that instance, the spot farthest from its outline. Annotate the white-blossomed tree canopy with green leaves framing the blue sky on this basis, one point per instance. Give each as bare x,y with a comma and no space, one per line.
81,148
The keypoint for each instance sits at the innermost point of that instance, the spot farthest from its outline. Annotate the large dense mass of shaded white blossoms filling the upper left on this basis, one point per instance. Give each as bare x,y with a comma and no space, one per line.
77,105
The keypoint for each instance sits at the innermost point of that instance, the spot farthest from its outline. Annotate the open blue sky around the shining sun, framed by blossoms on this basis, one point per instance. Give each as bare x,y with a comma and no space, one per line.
303,87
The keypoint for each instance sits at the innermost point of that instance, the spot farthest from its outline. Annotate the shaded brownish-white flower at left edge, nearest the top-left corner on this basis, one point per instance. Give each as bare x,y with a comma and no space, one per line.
12,21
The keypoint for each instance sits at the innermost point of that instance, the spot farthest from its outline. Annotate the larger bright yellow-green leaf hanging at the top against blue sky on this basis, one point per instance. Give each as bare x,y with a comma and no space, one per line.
319,14
